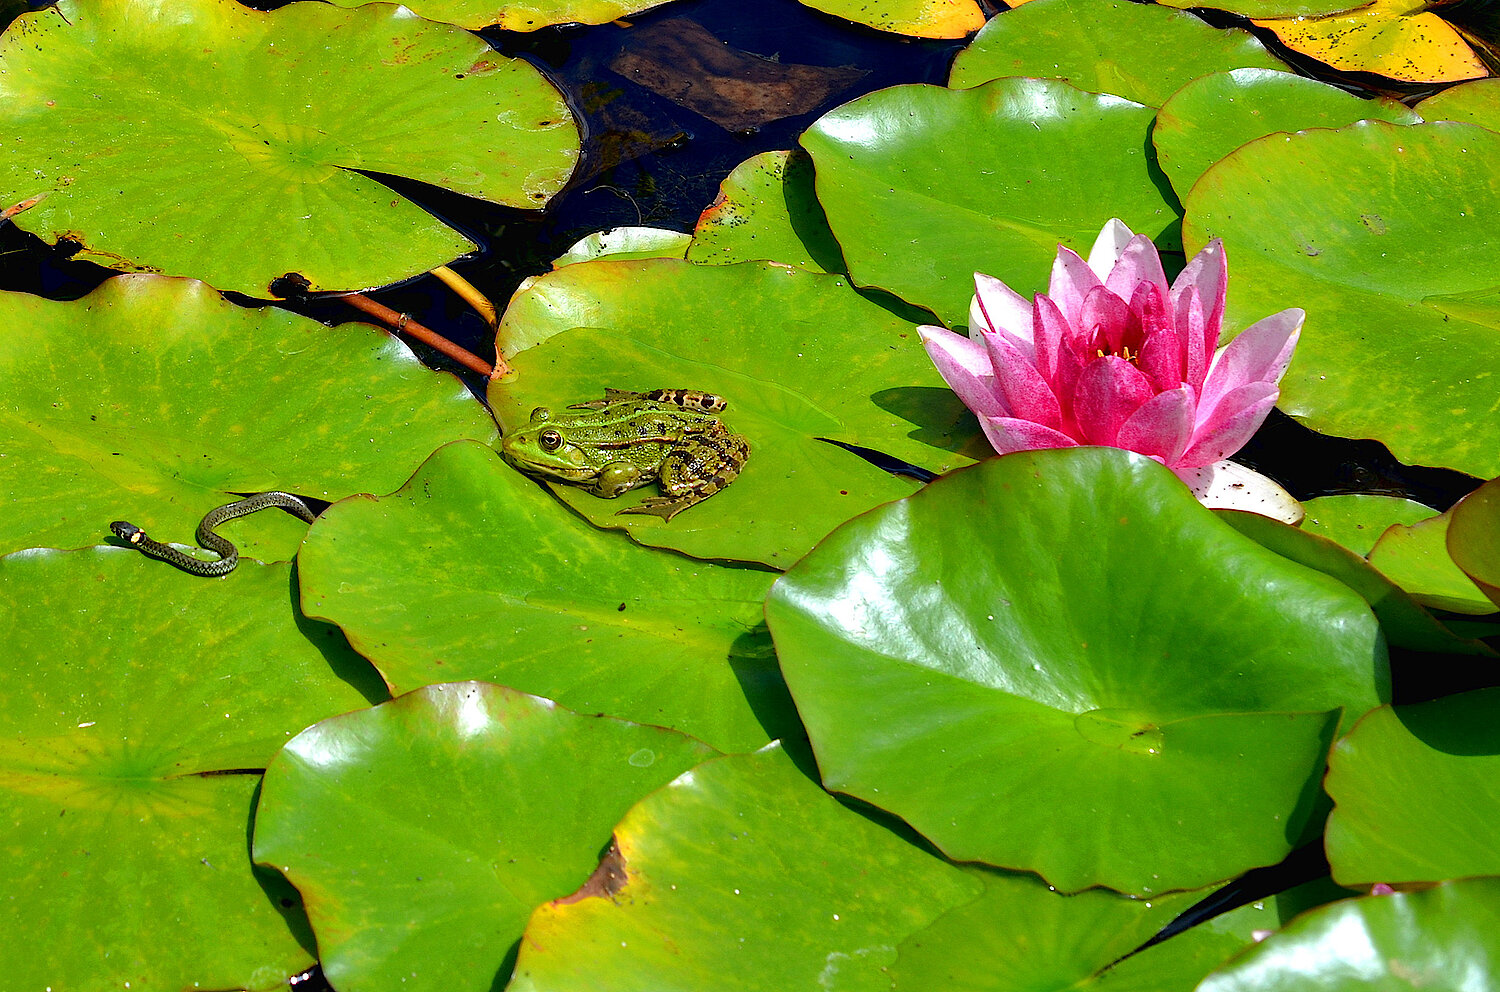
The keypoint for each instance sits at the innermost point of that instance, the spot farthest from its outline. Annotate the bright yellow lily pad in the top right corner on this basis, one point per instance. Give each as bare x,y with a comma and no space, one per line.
1402,40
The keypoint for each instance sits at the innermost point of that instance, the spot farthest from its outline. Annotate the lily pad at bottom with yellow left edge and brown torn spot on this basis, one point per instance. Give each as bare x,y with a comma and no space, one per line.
742,876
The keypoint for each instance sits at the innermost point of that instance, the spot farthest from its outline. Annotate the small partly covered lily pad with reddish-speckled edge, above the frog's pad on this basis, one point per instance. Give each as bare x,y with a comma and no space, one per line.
767,209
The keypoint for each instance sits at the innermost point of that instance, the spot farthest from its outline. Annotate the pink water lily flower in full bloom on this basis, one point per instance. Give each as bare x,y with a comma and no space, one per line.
1112,356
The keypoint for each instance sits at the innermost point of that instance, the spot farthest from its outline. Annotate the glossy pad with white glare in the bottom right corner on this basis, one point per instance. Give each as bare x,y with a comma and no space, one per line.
1414,940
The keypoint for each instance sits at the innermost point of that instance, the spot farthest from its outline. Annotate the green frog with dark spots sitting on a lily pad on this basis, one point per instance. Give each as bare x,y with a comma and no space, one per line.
628,440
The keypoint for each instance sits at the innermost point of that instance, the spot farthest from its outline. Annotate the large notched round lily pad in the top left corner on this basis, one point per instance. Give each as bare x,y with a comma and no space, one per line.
268,116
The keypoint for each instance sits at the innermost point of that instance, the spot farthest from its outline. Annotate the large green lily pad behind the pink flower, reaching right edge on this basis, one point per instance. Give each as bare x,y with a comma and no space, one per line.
1382,233
